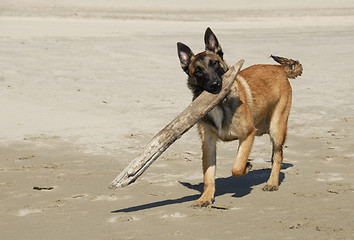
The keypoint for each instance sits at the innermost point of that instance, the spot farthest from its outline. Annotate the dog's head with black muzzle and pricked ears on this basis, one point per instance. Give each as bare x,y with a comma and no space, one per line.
205,69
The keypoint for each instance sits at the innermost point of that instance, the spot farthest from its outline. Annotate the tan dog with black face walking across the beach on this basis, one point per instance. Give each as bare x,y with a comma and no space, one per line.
258,103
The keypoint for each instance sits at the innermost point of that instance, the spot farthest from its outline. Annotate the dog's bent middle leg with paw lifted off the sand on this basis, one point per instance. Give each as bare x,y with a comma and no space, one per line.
242,167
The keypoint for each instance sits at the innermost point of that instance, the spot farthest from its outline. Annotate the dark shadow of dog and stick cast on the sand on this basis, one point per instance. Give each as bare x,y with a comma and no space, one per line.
239,187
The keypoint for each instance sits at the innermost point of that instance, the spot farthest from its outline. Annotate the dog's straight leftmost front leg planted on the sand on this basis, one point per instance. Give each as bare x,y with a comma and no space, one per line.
209,169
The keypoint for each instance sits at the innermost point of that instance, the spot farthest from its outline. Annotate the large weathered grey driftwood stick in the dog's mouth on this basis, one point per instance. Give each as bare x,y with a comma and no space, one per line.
173,131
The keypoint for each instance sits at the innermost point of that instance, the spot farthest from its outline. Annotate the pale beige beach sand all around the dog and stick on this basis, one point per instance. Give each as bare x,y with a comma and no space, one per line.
85,85
